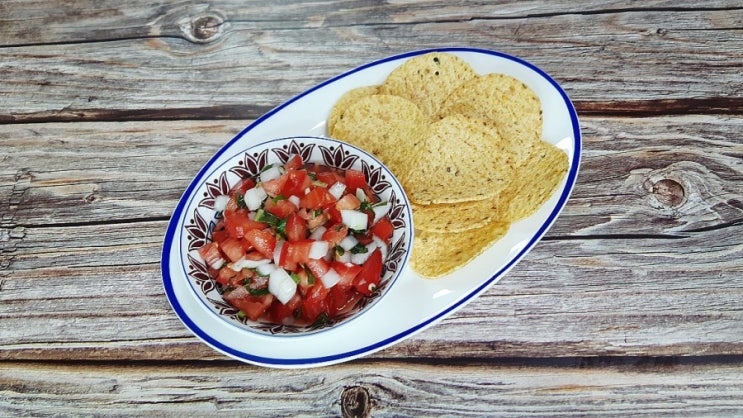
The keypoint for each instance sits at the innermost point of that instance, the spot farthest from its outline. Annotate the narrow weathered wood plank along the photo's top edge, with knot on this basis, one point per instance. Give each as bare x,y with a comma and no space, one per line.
100,21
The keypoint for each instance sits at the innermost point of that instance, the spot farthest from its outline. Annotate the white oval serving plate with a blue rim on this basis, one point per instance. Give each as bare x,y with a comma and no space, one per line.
414,303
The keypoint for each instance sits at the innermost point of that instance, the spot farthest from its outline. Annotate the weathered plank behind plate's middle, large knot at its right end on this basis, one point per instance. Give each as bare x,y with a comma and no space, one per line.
631,168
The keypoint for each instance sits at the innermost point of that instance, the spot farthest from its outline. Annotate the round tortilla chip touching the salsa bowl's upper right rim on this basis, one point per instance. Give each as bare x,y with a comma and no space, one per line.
389,127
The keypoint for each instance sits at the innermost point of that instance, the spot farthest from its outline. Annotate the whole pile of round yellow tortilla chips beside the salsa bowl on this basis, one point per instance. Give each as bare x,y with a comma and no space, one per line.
467,149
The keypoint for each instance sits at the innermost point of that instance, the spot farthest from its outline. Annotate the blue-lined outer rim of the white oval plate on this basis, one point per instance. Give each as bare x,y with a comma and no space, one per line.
348,355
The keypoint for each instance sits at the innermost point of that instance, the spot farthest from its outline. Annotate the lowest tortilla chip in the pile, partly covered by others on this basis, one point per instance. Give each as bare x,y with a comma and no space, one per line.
436,254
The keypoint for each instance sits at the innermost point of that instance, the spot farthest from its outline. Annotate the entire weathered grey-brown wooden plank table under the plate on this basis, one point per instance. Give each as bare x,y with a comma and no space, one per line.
631,305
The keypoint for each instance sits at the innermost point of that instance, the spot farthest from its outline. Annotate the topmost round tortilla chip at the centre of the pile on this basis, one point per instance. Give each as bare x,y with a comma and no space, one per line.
458,161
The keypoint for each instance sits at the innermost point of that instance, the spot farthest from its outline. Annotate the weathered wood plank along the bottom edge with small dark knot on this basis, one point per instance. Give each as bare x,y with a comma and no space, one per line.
380,388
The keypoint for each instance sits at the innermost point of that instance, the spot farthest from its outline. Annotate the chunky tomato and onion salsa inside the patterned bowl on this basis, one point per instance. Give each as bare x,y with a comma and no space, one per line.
298,243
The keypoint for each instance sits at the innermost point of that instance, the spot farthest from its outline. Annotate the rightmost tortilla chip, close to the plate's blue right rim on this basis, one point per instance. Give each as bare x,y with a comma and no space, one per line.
535,181
